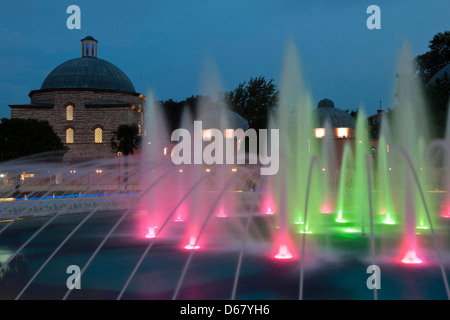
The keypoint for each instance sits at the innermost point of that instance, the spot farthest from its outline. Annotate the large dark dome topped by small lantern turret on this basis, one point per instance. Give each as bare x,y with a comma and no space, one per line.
88,72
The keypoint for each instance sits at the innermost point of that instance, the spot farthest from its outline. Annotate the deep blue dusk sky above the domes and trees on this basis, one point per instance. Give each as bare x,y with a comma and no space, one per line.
165,45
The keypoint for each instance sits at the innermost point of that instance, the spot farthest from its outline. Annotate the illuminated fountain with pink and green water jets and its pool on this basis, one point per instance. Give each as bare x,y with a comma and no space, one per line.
174,223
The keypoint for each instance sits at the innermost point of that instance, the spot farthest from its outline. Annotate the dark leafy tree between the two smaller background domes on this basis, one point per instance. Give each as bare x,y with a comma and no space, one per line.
254,100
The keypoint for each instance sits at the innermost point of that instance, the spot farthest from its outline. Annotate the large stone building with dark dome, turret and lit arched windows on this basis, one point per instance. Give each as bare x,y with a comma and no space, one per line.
85,100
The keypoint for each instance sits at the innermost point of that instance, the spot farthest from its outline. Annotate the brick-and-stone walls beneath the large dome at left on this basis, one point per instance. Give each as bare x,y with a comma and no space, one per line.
91,109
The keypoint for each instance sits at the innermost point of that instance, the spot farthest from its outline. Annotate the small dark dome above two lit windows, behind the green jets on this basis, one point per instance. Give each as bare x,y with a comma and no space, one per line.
337,118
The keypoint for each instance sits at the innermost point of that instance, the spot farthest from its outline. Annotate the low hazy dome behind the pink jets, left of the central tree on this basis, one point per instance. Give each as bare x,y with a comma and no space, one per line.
222,119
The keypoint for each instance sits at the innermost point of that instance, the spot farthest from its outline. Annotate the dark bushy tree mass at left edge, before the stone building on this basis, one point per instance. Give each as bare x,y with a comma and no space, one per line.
23,137
